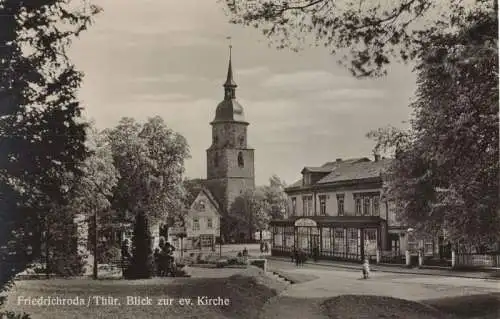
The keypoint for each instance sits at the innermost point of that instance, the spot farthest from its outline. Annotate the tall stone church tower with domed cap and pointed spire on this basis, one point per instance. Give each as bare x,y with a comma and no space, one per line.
230,161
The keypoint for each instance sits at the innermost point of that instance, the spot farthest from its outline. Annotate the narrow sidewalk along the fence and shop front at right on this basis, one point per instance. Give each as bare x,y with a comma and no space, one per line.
400,269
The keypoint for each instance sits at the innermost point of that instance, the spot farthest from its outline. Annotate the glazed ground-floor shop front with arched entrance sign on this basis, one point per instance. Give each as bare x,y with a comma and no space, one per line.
336,238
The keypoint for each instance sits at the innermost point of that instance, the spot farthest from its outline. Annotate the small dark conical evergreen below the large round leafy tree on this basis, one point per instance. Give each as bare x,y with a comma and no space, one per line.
141,264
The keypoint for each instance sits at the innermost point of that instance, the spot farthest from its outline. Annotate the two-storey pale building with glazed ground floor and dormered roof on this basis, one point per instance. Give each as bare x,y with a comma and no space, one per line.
340,210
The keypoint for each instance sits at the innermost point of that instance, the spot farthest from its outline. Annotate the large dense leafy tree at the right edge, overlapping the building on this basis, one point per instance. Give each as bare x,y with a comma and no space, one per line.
445,175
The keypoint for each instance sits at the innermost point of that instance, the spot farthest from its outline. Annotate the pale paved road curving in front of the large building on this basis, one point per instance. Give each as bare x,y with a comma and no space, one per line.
333,282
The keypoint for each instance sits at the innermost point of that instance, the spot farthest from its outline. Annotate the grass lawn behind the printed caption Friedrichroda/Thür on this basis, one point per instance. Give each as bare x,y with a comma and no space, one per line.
247,292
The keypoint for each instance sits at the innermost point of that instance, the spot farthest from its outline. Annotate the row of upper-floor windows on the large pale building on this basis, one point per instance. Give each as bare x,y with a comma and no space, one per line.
365,205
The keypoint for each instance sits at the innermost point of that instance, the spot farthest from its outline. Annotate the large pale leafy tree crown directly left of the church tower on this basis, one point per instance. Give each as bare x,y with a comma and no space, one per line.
150,159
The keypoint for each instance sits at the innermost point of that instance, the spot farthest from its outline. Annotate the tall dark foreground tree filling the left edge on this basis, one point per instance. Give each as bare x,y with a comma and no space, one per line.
41,139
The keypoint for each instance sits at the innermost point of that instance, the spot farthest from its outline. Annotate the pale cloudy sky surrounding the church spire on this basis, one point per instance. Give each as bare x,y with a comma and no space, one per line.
169,58
